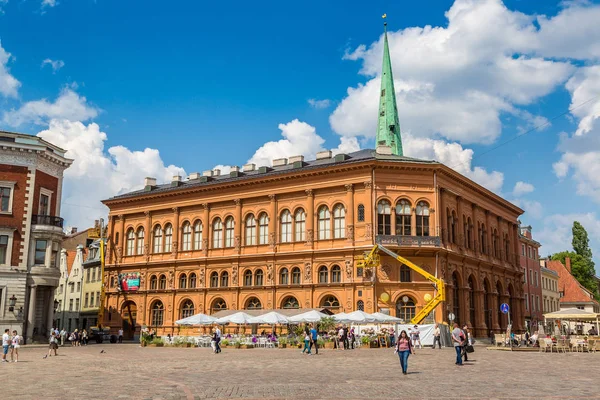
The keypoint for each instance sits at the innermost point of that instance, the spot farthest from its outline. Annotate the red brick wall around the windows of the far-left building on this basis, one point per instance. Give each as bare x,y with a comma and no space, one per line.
18,175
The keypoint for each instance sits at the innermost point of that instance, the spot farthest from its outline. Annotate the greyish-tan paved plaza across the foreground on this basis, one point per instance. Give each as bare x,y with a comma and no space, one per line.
129,372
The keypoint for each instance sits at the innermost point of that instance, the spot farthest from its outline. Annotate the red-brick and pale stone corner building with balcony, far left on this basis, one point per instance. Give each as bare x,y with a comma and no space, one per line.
31,232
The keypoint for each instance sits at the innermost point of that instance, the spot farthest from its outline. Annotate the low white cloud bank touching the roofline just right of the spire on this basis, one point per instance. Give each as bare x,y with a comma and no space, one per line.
454,156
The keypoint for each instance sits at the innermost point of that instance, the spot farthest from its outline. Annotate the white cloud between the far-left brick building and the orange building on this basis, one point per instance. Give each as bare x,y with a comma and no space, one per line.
95,174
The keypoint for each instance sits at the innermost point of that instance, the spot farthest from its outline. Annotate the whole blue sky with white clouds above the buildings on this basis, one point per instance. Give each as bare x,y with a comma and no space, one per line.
213,83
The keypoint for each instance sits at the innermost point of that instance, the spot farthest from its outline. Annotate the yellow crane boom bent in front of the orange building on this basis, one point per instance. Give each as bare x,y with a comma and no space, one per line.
371,260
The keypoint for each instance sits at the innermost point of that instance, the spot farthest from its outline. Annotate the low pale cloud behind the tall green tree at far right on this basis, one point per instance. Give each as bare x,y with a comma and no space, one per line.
556,234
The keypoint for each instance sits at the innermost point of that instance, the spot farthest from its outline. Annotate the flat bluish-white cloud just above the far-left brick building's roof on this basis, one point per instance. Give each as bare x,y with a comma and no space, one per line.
69,105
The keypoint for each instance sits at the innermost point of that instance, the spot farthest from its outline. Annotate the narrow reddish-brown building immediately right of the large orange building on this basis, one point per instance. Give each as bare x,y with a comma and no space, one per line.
532,278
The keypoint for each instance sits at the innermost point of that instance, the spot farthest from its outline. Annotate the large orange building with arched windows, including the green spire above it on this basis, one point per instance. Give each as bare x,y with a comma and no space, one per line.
289,235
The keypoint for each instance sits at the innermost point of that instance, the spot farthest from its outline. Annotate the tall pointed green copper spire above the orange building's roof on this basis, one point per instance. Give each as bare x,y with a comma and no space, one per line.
388,125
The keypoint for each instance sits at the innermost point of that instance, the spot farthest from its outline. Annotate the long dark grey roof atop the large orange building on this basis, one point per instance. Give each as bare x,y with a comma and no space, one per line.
355,157
